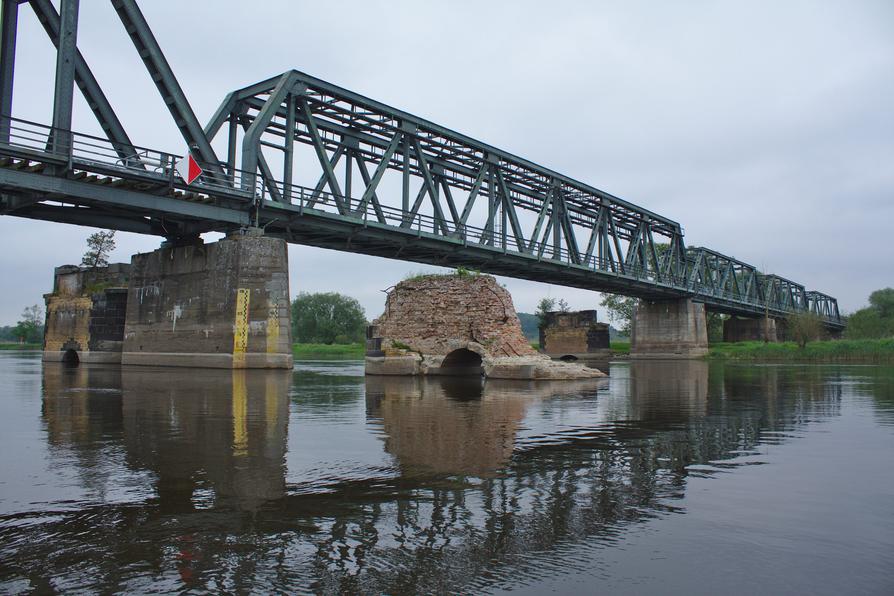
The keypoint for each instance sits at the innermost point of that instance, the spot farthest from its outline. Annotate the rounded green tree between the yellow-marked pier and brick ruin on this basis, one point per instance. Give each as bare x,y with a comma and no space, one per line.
327,318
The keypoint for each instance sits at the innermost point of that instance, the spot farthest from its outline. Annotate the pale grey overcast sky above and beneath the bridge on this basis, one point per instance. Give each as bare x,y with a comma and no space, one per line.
765,128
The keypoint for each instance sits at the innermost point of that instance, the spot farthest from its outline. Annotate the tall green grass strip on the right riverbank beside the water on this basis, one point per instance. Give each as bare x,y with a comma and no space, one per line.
865,351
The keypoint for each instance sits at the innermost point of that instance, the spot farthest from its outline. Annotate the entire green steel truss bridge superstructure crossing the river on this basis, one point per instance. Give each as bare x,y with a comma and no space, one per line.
317,164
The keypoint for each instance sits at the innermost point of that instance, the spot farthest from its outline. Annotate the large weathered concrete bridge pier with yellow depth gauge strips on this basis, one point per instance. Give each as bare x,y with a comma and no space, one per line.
220,305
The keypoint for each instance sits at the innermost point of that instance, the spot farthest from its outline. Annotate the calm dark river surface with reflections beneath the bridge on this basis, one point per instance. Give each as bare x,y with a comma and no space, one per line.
668,477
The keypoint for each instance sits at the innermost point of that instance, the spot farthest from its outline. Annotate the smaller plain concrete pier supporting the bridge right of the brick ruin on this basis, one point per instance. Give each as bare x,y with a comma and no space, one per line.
669,329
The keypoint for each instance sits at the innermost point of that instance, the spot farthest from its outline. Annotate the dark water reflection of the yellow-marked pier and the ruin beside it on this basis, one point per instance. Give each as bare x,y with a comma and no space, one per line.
210,437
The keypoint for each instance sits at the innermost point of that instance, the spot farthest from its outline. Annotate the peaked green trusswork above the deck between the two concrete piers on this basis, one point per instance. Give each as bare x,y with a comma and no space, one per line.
449,175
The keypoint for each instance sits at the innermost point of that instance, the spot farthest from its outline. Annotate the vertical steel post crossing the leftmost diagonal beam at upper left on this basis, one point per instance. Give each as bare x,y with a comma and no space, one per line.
65,66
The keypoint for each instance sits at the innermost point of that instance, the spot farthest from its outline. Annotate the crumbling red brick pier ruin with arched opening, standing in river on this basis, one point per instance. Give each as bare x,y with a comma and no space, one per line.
457,325
